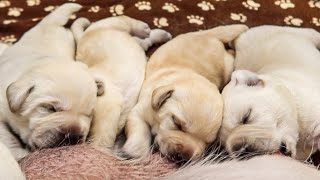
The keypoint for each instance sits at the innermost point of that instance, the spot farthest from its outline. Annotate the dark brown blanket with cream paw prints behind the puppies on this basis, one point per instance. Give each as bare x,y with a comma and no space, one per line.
176,16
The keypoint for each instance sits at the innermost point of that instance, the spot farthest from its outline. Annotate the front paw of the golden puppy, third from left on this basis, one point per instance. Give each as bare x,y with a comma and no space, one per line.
135,149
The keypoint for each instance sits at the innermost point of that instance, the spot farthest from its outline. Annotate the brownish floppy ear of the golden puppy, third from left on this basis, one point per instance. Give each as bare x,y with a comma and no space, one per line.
160,95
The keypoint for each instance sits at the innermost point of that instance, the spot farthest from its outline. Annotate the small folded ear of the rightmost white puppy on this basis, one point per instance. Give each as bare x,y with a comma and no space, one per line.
247,77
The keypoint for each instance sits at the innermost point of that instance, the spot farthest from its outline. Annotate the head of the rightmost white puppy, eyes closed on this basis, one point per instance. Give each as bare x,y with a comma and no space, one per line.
259,116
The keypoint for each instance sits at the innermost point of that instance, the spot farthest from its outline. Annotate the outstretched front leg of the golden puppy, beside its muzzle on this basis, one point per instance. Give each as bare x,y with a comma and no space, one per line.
138,136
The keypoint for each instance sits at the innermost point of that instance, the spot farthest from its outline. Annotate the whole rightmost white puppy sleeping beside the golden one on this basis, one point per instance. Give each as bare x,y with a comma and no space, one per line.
272,101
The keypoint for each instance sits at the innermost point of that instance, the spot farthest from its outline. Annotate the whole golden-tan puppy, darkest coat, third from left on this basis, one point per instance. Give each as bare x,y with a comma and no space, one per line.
180,103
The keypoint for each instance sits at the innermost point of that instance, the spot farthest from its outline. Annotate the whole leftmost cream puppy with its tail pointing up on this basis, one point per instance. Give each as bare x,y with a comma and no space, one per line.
46,98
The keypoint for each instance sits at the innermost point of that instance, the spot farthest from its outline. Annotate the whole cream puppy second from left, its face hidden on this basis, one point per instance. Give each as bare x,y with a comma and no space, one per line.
114,49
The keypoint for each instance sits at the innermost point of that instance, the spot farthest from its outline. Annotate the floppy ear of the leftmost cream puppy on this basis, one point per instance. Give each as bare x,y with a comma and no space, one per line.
17,92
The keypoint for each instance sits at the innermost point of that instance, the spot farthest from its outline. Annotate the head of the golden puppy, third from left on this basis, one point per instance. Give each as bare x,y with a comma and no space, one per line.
188,116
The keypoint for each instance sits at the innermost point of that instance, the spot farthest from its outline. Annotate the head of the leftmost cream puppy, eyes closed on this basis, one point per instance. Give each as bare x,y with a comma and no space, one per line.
54,104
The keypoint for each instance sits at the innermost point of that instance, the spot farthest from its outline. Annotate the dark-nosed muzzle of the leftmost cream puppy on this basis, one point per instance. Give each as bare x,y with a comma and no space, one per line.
57,131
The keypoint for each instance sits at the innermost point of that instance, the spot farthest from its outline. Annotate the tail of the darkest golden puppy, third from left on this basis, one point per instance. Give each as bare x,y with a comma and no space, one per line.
228,33
